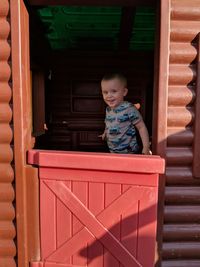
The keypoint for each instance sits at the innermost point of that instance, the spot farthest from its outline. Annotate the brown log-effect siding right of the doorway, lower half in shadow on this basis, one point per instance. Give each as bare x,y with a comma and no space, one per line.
181,244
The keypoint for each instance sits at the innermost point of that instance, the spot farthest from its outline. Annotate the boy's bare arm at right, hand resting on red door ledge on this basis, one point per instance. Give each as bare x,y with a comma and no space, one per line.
144,137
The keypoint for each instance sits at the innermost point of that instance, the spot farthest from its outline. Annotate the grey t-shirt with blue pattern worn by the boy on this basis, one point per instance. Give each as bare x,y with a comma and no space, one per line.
120,130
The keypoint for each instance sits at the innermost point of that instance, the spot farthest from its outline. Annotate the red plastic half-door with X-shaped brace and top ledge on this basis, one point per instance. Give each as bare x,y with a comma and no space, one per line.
97,209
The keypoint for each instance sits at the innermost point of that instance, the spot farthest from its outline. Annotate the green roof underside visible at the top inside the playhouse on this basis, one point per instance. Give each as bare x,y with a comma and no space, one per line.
95,28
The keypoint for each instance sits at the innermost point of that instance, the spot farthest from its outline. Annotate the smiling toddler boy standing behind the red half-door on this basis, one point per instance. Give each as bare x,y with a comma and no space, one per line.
122,118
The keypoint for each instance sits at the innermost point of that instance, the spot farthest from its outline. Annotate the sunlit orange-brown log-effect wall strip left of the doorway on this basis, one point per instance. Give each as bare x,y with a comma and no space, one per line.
7,211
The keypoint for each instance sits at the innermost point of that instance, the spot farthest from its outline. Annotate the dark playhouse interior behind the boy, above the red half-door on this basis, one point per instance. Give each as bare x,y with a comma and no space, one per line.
71,48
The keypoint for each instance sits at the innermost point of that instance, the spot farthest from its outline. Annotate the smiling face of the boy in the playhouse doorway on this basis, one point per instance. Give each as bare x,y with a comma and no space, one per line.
113,92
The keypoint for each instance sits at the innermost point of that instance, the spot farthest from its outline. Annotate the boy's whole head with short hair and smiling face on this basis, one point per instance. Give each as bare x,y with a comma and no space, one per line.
114,89
